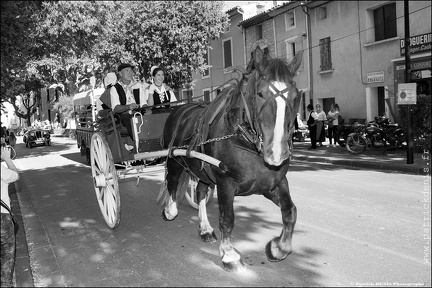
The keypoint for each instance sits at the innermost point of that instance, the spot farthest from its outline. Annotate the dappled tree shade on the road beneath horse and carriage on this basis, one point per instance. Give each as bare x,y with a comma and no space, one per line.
144,250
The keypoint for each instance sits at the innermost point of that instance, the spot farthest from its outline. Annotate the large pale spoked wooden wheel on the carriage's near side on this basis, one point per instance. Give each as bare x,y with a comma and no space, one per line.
105,180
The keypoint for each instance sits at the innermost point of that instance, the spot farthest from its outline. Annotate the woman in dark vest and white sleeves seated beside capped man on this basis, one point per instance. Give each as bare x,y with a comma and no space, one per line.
158,92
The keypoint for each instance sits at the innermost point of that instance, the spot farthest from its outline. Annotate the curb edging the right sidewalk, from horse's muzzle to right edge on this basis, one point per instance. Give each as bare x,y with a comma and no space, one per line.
363,164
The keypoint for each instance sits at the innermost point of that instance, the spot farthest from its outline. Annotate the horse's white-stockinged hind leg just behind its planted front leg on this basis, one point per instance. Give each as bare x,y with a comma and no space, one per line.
206,232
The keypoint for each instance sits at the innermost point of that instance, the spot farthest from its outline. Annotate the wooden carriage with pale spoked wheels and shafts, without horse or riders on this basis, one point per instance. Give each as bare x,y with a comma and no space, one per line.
101,137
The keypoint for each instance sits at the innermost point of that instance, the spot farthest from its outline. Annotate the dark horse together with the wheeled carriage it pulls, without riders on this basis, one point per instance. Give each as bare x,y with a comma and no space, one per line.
240,142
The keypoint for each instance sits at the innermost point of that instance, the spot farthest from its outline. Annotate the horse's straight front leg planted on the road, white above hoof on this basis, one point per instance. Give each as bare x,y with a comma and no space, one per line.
231,260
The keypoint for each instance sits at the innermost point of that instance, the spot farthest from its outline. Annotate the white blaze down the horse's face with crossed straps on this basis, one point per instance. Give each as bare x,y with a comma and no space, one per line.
279,123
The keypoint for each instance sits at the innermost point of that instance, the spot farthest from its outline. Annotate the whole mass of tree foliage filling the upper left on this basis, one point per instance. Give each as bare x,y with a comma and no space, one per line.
67,42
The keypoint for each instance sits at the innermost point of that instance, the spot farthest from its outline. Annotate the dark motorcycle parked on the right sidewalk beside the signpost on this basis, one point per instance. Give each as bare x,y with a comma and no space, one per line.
378,135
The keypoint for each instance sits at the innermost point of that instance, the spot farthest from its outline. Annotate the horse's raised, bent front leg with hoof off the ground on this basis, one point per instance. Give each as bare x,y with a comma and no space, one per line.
280,247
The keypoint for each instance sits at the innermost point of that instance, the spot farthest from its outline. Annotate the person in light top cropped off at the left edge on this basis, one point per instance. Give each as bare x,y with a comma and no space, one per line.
9,174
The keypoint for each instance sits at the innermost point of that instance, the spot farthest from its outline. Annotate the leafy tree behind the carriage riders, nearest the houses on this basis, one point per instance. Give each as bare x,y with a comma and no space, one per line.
174,35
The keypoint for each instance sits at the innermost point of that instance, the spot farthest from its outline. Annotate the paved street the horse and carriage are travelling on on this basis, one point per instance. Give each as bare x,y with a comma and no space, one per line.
355,228
